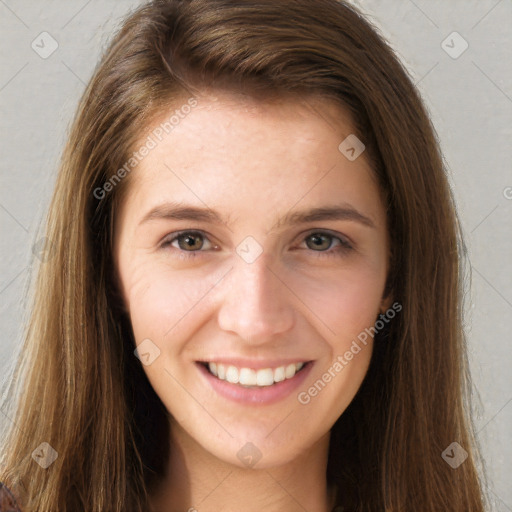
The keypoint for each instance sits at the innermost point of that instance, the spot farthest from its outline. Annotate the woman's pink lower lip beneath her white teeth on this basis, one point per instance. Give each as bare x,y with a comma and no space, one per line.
265,395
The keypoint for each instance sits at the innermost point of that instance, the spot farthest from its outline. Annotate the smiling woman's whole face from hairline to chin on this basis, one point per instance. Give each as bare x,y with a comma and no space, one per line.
250,247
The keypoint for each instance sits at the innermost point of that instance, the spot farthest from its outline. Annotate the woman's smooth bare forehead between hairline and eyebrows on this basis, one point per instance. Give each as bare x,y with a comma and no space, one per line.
232,150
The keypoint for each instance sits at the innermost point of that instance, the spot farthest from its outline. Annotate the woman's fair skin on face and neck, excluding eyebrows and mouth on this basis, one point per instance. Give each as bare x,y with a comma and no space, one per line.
253,162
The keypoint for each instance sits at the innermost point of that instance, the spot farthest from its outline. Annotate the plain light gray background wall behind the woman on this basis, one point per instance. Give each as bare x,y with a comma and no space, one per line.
469,98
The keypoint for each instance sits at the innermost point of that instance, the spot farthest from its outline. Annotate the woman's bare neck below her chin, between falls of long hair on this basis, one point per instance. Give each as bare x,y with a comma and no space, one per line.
196,481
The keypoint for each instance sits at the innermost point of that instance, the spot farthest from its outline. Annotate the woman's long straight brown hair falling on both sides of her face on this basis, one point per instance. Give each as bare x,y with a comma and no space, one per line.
77,385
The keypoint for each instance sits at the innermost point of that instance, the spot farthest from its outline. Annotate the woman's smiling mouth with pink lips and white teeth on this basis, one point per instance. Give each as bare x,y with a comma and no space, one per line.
254,385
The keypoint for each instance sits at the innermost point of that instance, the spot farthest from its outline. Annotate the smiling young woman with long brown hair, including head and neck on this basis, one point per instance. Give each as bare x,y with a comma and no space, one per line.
252,295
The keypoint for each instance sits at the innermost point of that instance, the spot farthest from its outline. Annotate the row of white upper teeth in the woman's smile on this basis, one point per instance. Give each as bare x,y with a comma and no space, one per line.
250,378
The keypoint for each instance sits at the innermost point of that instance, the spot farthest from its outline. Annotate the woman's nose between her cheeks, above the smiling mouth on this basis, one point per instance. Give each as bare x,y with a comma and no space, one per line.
256,303
